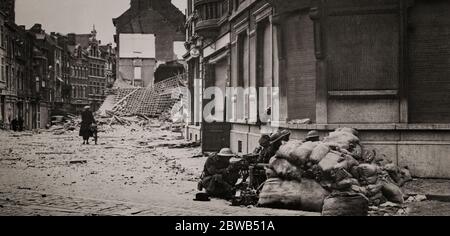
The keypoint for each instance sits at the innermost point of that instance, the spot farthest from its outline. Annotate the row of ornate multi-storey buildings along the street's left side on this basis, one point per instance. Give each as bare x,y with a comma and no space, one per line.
43,74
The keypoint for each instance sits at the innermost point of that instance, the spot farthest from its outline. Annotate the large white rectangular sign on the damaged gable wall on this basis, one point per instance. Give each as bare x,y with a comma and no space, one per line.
137,46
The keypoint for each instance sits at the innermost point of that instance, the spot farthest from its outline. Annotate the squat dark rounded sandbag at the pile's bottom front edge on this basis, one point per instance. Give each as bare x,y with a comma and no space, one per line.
346,204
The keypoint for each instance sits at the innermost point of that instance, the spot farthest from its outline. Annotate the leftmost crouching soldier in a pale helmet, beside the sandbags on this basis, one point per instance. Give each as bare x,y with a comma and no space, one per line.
219,177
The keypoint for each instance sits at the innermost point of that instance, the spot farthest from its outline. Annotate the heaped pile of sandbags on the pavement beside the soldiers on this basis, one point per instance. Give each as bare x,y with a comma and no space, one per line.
336,177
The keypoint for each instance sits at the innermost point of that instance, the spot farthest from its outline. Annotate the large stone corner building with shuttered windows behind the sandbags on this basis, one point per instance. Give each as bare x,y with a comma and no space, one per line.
378,66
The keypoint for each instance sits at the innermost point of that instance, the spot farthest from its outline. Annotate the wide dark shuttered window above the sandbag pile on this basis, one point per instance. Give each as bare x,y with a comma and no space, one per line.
363,51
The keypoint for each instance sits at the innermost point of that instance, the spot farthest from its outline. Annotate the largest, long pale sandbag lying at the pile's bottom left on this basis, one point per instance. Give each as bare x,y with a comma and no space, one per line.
307,195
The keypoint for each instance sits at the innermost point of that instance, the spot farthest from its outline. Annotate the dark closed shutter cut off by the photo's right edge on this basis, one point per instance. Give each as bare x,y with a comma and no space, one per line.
429,62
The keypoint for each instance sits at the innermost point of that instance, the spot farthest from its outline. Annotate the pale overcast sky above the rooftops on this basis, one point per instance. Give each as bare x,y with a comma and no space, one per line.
77,16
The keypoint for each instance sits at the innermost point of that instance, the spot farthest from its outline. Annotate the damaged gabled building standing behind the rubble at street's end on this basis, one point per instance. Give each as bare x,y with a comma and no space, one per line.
147,35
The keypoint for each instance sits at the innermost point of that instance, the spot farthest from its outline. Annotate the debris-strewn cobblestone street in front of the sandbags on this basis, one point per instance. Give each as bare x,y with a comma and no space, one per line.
46,174
